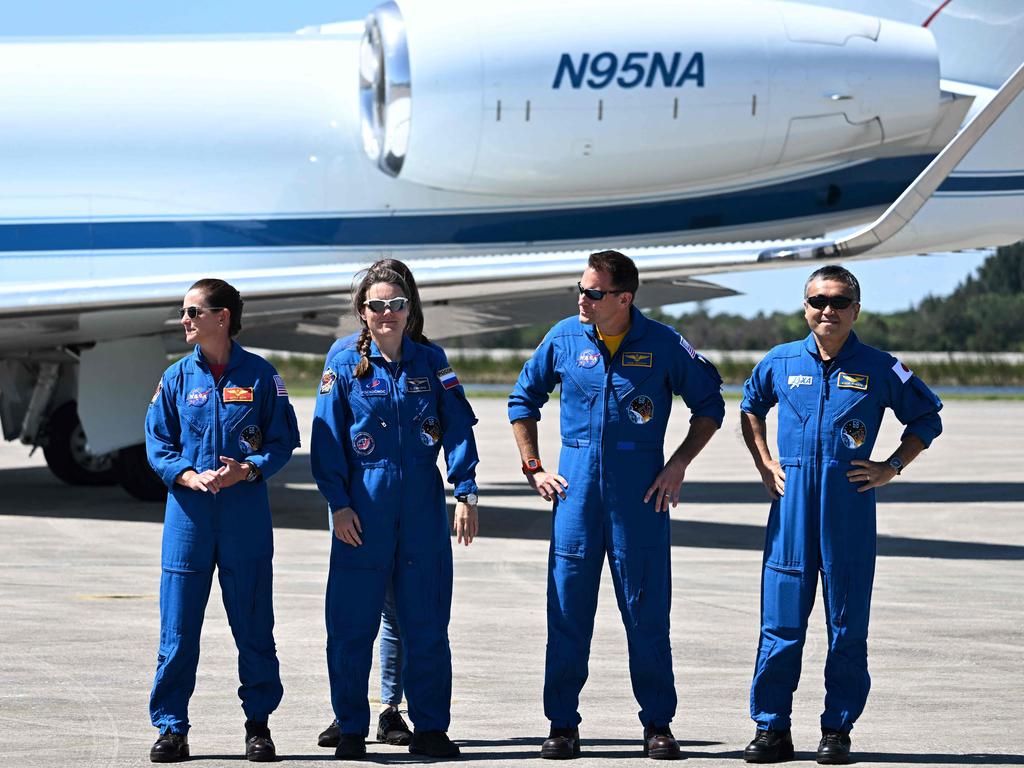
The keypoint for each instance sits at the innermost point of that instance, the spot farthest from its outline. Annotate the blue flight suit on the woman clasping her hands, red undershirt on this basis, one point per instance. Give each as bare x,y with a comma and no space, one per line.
192,422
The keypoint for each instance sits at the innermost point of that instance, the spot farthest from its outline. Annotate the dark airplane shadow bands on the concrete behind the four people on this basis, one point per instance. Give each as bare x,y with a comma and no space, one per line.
35,492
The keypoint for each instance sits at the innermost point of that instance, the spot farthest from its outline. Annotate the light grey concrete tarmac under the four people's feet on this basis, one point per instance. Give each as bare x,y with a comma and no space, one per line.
79,616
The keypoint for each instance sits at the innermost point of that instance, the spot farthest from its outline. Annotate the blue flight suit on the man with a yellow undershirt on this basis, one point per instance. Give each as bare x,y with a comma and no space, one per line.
615,411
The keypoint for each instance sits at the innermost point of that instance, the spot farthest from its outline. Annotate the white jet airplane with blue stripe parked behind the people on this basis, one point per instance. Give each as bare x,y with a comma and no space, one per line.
505,142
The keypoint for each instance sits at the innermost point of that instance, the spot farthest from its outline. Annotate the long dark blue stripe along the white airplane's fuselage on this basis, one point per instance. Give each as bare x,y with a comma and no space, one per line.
869,185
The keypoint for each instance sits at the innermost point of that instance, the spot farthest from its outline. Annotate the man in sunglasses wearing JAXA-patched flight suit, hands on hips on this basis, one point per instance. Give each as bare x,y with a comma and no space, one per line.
832,392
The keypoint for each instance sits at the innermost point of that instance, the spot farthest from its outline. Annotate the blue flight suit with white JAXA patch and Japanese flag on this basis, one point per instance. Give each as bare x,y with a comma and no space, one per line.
830,416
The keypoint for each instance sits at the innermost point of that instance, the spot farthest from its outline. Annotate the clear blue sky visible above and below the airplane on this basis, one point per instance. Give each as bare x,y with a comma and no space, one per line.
888,285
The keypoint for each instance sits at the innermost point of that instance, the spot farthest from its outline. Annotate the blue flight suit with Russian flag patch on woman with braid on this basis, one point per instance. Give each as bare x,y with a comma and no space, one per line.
375,445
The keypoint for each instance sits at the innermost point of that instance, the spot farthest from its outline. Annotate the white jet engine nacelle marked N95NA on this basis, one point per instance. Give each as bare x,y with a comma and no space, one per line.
585,97
